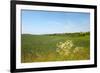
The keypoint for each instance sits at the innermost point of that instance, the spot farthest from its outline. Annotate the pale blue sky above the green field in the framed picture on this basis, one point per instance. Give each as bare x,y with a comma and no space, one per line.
48,22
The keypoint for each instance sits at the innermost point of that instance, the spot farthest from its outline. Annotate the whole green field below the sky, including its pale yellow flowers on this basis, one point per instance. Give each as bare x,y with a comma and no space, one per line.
55,47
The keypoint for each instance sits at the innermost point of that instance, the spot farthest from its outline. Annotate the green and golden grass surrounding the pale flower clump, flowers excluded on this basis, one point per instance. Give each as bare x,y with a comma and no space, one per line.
38,48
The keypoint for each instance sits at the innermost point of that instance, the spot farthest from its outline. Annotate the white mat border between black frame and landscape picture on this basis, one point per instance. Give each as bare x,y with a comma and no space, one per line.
20,65
